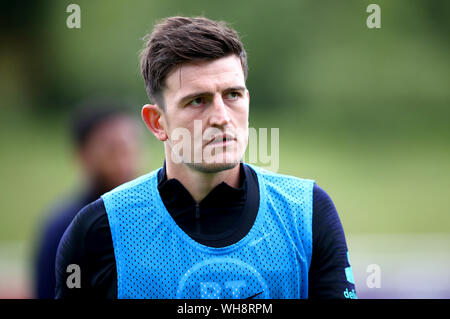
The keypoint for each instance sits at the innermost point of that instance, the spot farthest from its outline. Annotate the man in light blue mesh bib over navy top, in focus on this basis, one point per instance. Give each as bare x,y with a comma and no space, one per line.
205,225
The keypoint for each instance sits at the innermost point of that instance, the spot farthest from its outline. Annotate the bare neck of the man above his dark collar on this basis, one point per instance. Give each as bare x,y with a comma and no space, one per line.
199,183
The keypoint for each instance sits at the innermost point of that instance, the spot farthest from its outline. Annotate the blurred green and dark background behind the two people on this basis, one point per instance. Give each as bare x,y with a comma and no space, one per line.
362,111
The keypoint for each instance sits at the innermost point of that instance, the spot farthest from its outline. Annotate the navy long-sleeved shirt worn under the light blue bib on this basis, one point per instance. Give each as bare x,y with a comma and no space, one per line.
222,218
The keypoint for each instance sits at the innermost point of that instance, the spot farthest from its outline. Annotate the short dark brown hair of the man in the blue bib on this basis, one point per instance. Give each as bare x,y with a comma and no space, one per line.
176,40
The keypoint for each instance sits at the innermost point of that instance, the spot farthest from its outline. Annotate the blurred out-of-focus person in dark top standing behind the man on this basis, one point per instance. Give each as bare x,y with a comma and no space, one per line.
105,139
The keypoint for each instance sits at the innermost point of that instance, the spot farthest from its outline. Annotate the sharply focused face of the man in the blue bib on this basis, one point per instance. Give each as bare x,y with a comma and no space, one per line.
208,100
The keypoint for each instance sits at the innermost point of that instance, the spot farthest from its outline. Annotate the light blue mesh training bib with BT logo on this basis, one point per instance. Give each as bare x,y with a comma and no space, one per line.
156,259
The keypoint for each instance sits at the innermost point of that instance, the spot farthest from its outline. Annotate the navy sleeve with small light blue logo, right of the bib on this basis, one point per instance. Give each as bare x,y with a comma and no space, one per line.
330,274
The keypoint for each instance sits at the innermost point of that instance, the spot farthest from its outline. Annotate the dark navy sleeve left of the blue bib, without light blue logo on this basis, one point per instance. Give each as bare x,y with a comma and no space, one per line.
85,262
